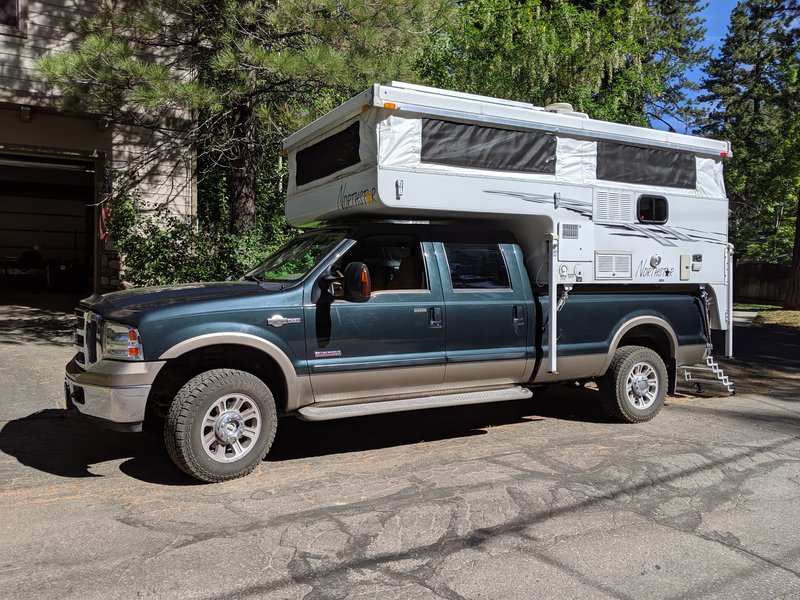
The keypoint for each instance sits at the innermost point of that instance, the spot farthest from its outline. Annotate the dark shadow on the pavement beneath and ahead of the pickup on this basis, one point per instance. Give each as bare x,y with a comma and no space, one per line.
68,445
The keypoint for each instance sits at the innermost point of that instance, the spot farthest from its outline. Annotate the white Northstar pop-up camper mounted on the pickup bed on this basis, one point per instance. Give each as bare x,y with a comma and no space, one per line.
590,202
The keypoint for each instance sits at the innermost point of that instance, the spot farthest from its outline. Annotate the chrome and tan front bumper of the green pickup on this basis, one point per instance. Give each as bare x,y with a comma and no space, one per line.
113,392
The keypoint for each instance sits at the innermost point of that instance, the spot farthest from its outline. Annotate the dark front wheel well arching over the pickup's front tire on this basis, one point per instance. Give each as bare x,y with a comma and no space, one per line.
179,370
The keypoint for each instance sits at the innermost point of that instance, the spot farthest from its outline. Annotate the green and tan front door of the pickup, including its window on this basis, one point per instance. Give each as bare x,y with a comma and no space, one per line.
389,346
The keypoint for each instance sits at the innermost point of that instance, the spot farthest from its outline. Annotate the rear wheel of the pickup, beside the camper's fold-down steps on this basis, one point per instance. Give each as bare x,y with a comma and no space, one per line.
635,386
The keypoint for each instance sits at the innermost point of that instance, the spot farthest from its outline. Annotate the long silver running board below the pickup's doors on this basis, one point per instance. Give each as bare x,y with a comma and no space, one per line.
343,411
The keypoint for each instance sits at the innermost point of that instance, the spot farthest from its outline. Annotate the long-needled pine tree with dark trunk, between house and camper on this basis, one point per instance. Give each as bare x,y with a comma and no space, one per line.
248,72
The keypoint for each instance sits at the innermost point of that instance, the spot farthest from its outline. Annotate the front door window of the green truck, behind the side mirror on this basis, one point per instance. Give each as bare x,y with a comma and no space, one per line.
395,263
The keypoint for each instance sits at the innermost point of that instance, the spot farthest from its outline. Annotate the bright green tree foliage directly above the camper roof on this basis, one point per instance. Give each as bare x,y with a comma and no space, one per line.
620,60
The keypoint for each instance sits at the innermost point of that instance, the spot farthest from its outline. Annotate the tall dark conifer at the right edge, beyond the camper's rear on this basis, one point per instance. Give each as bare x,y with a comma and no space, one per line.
752,87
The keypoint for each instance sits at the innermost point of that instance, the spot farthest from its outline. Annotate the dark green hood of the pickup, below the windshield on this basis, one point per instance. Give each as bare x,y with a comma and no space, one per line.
127,304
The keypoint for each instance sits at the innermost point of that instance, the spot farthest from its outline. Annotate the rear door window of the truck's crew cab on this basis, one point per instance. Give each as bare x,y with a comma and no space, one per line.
477,266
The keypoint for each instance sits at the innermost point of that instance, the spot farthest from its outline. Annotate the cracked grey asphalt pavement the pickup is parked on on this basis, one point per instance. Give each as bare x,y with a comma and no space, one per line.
531,499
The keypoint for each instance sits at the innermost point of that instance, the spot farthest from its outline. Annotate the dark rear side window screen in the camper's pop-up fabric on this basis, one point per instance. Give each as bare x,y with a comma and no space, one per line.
650,166
